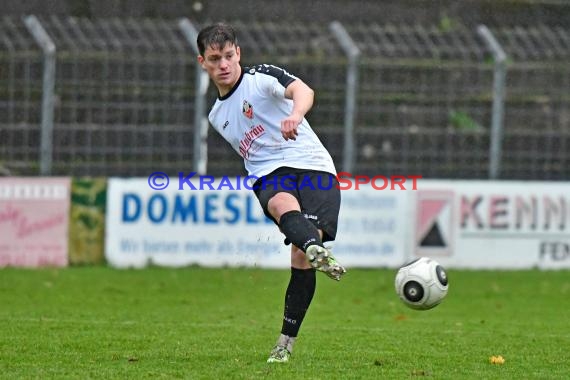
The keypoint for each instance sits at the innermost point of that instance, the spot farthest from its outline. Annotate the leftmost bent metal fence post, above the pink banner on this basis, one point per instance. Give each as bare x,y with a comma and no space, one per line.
48,47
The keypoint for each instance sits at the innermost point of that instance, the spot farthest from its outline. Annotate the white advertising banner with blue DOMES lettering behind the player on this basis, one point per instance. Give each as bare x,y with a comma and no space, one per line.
174,227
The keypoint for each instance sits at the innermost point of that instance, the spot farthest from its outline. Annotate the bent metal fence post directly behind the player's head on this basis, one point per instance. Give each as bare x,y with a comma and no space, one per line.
200,163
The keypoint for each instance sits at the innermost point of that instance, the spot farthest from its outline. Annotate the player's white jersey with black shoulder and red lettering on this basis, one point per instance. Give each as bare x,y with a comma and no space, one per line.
249,118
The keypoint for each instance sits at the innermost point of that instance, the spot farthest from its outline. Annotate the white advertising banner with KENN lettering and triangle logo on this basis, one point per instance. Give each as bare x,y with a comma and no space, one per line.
492,224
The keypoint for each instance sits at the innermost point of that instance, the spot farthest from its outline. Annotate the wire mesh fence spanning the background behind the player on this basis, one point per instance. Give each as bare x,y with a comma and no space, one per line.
124,97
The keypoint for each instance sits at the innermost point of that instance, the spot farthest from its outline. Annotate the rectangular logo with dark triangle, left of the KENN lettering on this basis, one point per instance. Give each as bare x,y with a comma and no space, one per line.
434,223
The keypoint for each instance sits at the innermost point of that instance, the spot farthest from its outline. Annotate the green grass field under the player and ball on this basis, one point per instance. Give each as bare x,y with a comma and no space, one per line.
195,323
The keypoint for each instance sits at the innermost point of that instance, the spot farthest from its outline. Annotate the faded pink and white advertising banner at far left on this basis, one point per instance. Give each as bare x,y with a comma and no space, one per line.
34,220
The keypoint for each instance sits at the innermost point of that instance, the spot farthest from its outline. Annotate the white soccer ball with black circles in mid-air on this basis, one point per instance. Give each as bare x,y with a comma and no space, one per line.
421,284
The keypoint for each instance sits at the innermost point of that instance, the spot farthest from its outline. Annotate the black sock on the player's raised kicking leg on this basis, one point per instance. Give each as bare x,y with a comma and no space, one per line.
298,230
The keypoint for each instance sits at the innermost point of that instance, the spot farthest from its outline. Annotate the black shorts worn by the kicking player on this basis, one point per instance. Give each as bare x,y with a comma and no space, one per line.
317,192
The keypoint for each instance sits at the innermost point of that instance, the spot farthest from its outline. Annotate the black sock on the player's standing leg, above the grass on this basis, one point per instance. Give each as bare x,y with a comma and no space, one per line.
297,299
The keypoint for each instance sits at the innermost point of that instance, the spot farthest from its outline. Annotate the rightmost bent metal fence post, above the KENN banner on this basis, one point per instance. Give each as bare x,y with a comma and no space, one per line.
499,83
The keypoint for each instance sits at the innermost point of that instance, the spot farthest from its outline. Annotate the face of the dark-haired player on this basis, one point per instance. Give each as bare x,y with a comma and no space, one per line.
222,65
